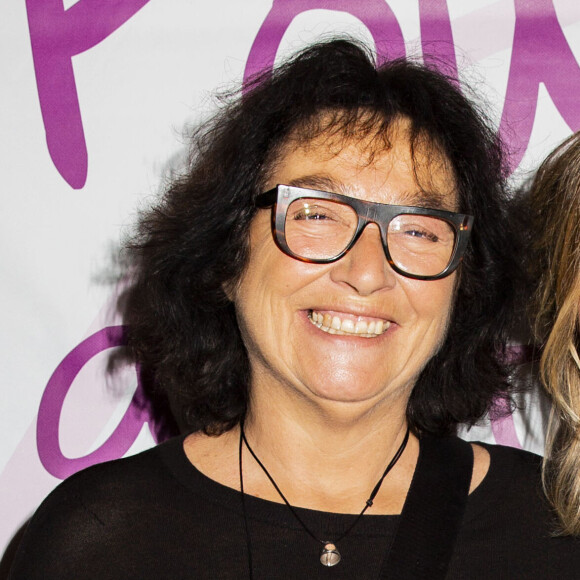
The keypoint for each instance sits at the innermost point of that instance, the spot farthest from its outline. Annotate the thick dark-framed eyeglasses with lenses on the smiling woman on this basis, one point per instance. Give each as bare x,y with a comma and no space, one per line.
320,227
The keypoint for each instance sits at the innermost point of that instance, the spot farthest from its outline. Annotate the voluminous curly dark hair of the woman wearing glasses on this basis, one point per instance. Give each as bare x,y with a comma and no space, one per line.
182,327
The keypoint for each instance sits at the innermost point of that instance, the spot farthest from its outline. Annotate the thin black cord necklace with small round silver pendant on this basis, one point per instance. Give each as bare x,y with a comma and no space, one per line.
329,556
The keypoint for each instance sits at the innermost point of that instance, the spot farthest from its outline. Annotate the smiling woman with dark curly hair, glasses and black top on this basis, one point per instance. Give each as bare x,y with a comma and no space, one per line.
299,301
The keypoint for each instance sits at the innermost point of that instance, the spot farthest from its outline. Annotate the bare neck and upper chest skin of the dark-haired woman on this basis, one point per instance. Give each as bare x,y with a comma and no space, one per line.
326,456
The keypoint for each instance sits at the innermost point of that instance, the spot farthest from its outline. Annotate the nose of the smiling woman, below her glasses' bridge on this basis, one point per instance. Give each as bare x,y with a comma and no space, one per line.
365,267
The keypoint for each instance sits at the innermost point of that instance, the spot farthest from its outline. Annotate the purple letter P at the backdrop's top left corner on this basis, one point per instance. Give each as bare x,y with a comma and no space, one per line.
56,35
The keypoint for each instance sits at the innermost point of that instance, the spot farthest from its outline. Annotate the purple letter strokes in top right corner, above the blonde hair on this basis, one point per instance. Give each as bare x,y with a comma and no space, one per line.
540,53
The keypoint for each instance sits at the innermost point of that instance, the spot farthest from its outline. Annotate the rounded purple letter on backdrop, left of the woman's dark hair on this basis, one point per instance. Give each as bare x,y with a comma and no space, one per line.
53,398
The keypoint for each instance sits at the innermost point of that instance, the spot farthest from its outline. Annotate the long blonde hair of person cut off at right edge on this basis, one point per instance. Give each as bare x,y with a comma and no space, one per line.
555,207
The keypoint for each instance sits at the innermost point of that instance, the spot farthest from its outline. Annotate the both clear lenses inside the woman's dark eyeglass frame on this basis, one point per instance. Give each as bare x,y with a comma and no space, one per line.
320,229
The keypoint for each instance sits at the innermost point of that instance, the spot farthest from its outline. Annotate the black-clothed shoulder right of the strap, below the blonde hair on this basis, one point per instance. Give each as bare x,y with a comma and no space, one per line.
509,527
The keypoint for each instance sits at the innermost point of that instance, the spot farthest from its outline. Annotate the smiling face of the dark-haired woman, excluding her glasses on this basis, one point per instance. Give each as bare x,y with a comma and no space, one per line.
278,298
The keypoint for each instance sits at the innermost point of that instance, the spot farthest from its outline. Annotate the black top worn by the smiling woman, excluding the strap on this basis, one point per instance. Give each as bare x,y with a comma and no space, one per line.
154,515
